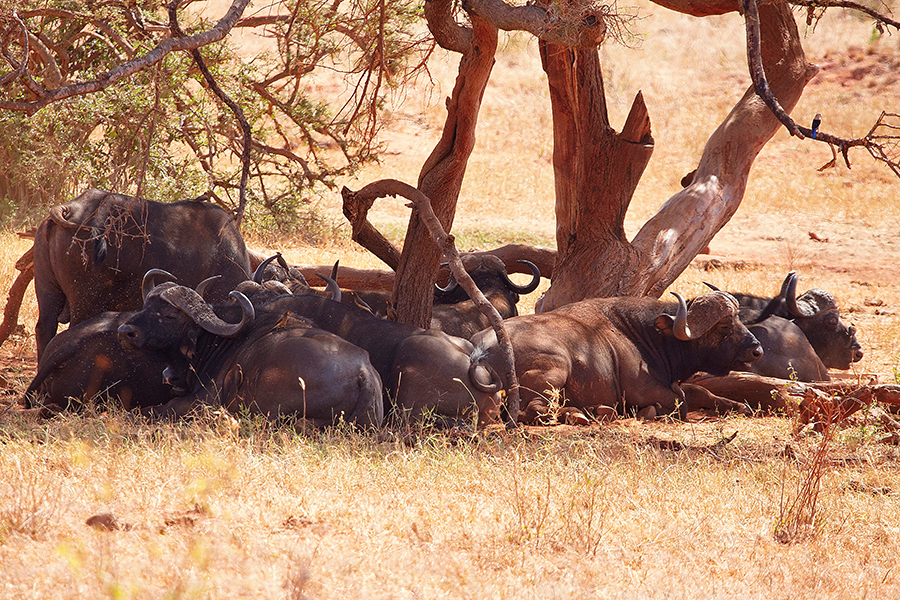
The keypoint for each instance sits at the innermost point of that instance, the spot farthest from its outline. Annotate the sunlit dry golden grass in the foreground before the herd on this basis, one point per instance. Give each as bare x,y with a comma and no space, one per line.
225,508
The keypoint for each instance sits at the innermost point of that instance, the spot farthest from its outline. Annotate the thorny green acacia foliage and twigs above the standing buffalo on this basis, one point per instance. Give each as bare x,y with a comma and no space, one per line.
313,93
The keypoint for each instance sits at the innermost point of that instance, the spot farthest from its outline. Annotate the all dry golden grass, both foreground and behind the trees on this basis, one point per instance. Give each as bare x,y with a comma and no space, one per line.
229,508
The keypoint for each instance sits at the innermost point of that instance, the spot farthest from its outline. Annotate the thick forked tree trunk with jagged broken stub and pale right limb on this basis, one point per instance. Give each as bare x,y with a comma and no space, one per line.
597,171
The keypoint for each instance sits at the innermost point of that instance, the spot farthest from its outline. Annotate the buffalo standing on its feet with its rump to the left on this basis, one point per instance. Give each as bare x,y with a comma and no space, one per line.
91,253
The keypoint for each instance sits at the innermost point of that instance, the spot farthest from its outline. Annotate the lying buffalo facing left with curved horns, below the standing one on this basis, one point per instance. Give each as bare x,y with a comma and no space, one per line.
274,364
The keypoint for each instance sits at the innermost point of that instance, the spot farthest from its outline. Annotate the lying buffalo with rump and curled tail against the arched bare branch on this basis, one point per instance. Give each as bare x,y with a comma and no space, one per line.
424,371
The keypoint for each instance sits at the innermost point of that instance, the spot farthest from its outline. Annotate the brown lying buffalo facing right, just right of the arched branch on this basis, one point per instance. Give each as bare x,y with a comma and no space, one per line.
625,355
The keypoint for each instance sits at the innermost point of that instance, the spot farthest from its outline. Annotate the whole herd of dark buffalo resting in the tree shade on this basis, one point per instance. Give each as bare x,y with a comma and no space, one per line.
165,315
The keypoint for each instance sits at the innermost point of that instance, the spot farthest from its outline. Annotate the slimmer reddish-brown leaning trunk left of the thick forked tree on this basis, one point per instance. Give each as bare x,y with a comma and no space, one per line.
442,175
